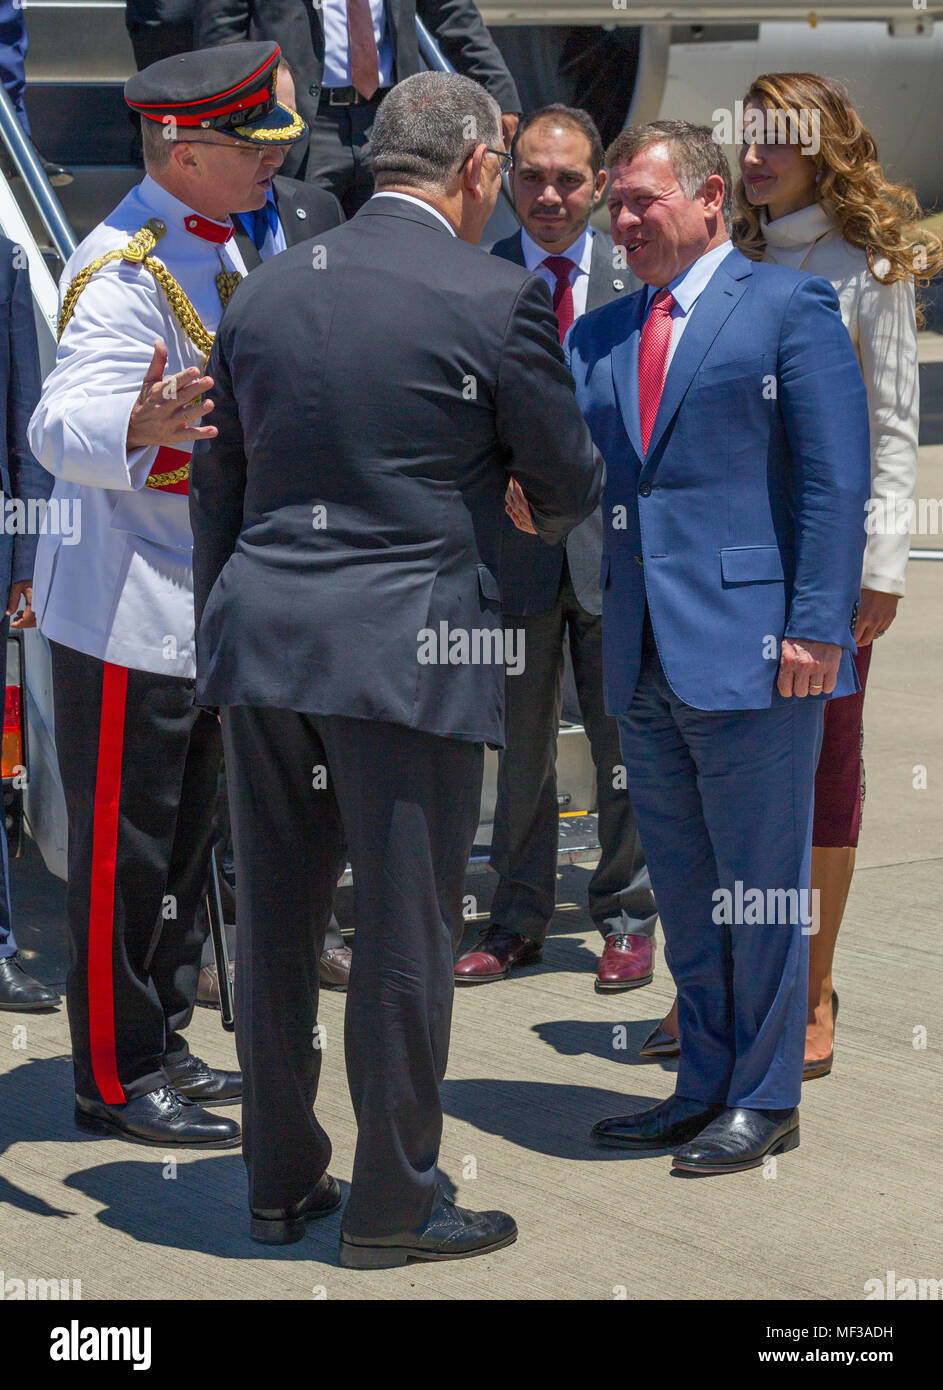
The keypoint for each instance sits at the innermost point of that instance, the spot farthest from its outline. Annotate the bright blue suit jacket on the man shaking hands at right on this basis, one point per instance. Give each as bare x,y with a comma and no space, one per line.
746,519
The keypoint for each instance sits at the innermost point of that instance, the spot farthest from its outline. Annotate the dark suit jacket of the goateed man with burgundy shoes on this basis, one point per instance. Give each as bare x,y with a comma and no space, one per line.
531,575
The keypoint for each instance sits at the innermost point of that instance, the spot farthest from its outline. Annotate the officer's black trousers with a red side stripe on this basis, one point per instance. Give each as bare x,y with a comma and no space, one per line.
140,767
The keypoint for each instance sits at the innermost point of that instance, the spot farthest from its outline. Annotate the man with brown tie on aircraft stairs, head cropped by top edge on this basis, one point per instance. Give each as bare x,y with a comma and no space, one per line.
346,56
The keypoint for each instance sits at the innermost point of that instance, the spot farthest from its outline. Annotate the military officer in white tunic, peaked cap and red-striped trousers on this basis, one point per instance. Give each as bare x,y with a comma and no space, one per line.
116,425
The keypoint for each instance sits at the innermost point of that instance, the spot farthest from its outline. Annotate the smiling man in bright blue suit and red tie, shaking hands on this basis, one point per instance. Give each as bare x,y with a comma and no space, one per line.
728,404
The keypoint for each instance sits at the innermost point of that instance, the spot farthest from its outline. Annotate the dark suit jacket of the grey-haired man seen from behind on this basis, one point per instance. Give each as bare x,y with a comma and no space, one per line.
393,390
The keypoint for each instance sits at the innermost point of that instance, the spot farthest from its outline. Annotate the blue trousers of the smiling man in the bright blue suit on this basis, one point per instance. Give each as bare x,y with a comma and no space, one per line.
724,804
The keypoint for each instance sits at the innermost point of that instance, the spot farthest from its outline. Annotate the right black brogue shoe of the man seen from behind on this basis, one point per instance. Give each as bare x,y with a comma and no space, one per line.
450,1234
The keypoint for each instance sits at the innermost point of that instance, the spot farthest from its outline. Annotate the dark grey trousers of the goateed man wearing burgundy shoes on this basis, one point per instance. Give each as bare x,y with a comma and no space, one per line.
526,825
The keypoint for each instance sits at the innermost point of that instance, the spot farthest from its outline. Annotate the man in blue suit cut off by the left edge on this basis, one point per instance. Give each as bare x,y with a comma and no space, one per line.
20,477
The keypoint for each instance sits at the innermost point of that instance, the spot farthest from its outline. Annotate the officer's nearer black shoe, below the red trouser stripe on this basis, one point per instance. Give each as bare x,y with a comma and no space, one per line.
161,1117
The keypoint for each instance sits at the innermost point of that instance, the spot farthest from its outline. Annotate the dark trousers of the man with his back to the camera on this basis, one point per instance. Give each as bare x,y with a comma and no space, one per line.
408,804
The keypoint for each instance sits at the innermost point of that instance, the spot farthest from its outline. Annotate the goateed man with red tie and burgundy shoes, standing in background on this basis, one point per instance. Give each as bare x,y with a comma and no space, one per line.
553,593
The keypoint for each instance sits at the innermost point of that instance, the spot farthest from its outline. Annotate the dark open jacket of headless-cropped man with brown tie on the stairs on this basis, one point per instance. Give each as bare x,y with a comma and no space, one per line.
297,26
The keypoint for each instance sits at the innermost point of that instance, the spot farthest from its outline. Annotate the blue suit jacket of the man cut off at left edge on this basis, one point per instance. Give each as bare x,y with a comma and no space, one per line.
20,382
